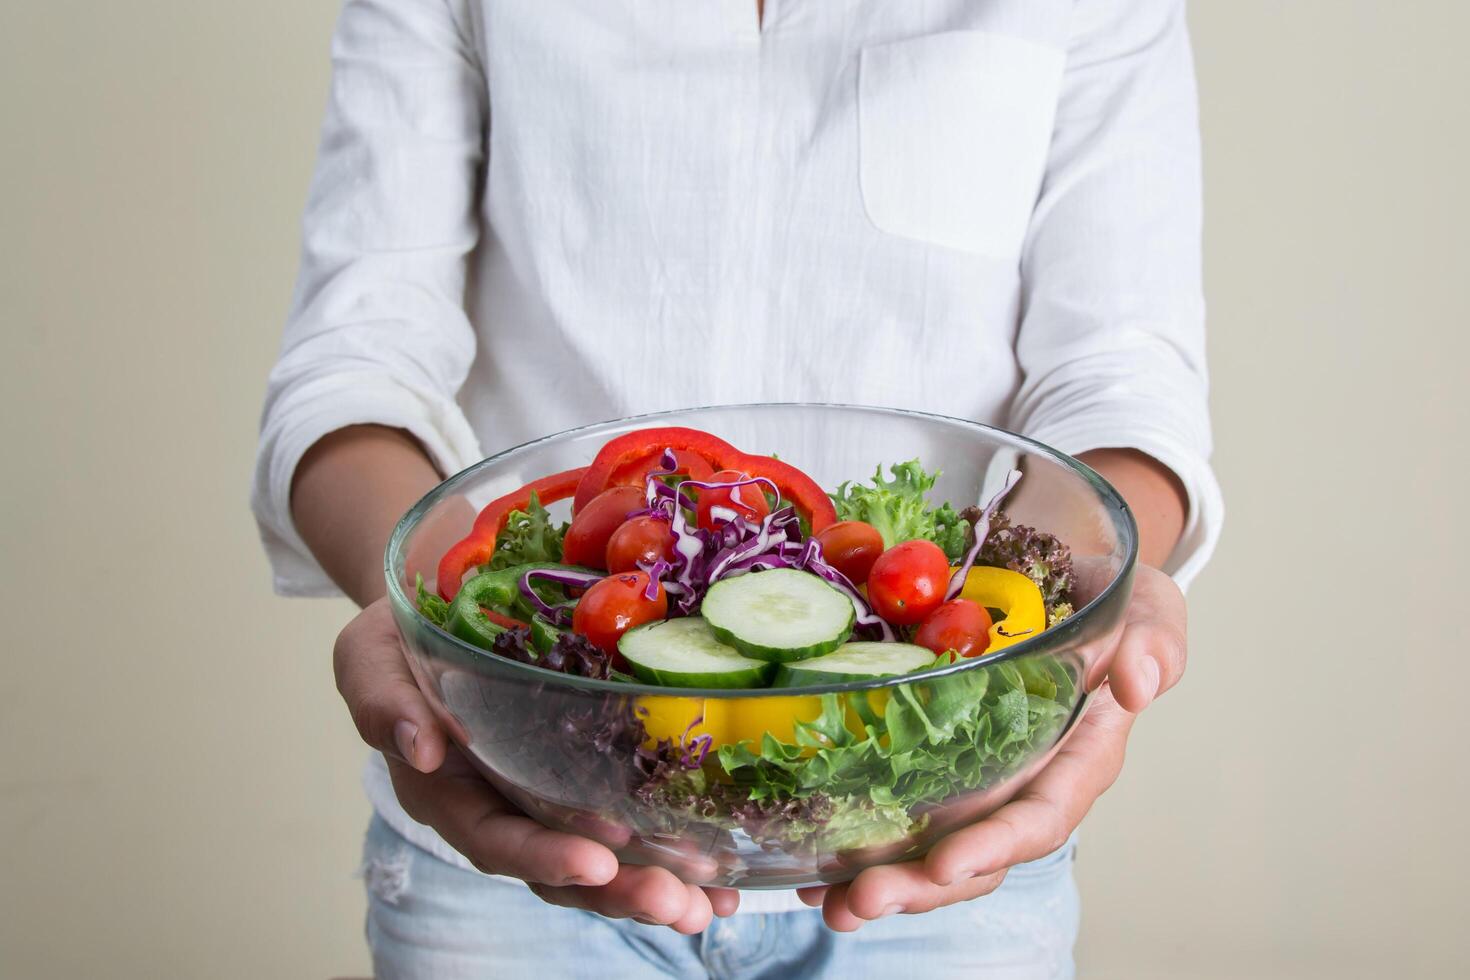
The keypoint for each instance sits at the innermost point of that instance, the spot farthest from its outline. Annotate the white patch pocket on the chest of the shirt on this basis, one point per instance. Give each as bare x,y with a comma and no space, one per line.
953,136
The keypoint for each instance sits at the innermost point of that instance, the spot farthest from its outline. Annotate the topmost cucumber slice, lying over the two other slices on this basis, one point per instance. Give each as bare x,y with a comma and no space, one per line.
781,615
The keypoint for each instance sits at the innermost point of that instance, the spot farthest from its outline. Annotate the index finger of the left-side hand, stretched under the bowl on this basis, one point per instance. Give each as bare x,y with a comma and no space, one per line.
496,838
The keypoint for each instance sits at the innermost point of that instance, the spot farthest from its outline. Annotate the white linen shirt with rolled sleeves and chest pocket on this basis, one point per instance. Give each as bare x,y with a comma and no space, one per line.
531,215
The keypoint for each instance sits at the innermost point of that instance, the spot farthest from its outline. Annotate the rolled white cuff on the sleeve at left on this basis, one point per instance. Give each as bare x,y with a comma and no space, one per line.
317,409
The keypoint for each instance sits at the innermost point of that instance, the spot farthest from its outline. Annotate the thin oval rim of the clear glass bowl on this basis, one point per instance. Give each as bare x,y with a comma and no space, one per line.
1124,524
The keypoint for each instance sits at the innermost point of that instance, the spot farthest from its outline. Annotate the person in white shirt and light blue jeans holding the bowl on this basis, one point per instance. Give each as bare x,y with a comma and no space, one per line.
533,215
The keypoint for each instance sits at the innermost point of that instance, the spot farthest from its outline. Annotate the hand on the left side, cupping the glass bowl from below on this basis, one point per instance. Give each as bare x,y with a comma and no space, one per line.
439,787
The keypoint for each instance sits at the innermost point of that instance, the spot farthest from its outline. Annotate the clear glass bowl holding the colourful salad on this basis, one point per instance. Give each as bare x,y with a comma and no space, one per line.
581,756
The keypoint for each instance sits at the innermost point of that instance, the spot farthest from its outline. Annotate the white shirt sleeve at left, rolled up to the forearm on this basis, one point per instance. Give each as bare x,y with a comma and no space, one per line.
377,331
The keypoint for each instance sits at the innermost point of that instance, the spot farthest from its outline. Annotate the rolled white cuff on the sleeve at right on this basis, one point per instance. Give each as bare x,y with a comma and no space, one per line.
1128,431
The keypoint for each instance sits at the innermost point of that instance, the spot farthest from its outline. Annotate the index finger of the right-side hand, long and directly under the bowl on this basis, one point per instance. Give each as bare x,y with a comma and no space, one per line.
1041,818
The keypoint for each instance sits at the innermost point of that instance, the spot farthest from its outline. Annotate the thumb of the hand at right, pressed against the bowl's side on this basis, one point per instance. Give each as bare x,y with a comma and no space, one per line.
1153,650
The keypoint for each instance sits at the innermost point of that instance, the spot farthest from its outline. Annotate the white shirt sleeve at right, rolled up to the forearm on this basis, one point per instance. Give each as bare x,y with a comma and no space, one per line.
1112,340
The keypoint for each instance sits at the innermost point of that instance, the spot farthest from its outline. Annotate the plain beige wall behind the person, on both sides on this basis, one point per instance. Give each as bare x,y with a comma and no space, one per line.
179,784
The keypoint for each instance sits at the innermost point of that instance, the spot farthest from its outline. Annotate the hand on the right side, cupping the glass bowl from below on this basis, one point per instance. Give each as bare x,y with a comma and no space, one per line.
1149,660
